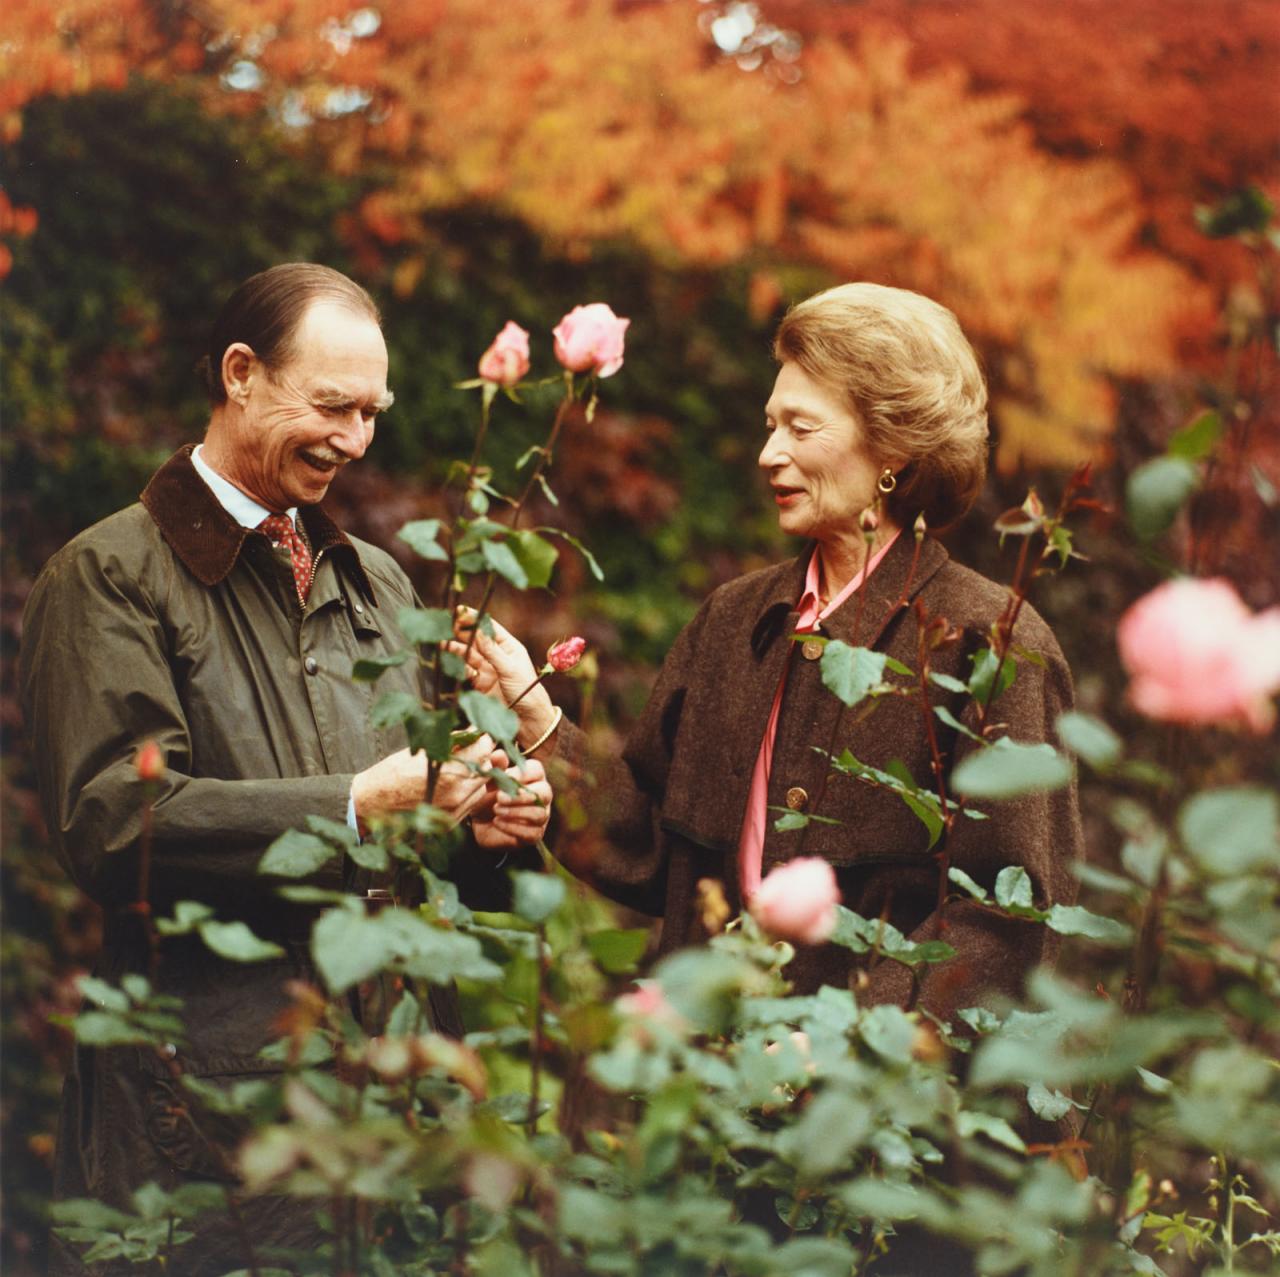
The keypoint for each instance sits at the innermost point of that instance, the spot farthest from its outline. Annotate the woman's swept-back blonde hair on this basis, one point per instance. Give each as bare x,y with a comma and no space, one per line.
913,379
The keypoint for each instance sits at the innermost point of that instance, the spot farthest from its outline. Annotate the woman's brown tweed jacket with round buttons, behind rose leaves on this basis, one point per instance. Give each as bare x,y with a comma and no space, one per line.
673,805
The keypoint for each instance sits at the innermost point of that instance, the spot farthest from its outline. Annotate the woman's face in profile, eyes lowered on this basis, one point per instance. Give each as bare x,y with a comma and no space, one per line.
816,459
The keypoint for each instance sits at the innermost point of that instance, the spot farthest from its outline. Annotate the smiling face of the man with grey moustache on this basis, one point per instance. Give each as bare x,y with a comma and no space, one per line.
298,425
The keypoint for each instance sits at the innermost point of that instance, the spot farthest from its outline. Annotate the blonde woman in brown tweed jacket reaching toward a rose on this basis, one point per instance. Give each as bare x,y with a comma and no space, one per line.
879,416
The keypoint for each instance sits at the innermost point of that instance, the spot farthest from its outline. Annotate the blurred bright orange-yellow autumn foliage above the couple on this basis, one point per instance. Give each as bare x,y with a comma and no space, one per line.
595,121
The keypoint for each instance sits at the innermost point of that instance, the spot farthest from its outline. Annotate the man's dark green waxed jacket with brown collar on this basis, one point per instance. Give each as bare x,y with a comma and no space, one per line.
171,623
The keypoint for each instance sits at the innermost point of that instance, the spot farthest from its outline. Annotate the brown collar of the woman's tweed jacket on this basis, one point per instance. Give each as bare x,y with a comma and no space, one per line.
900,576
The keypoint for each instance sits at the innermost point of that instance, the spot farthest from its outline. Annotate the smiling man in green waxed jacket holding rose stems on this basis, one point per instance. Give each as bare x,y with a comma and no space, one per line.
221,619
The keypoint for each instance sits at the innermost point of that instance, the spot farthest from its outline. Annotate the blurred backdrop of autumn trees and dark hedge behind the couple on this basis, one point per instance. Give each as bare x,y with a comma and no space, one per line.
1086,184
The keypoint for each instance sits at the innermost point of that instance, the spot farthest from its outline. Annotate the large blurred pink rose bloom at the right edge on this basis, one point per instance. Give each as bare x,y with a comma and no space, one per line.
1196,654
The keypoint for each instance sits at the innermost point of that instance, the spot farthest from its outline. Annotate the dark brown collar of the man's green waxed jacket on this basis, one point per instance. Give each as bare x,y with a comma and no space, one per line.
209,542
